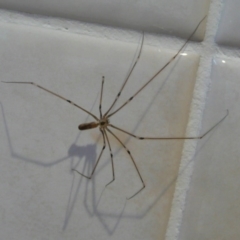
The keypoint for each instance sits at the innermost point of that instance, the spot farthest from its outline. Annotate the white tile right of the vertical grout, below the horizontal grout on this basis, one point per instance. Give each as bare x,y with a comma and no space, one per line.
212,207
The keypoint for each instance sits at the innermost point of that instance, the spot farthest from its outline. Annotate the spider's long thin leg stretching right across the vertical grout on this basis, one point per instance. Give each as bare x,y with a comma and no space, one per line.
170,138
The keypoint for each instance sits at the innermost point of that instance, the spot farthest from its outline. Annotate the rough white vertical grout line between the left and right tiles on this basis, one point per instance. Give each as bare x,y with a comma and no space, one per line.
203,81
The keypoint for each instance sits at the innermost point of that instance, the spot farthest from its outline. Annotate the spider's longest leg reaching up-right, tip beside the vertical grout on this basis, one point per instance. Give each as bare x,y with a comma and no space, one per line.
157,73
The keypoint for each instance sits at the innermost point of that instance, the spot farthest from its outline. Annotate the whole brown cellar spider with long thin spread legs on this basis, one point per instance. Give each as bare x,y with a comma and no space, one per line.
103,121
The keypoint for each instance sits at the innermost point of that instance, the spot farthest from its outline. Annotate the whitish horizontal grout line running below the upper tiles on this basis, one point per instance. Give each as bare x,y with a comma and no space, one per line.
125,35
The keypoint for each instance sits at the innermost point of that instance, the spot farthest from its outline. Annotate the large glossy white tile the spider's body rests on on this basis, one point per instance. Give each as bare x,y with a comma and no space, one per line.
40,142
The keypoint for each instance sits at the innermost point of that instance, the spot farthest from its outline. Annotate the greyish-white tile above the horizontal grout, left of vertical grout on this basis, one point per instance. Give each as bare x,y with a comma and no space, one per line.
176,17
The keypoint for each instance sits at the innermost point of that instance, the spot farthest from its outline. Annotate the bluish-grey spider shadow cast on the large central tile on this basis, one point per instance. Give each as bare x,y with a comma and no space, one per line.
89,153
